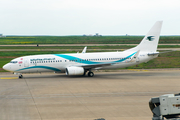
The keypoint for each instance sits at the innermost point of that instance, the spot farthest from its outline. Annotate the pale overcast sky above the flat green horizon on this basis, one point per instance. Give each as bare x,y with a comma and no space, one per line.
78,17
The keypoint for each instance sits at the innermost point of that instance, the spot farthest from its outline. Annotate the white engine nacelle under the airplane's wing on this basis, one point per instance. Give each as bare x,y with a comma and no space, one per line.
74,71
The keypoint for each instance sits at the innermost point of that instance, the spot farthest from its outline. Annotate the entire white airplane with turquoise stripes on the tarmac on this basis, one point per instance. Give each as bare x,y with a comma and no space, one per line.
80,63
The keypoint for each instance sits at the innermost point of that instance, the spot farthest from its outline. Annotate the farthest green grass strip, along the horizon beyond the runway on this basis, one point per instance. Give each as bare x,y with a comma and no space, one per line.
82,40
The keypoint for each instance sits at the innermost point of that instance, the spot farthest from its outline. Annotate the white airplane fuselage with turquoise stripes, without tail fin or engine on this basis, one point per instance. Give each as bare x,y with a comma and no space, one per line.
59,62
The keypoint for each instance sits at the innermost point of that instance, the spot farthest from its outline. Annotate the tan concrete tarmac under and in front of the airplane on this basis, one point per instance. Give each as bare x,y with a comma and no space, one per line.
120,95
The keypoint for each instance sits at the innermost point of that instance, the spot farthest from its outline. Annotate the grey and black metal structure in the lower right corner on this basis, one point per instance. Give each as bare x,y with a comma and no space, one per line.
165,107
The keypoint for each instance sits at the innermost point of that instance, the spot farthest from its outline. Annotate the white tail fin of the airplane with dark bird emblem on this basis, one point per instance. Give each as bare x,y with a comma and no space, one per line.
150,41
